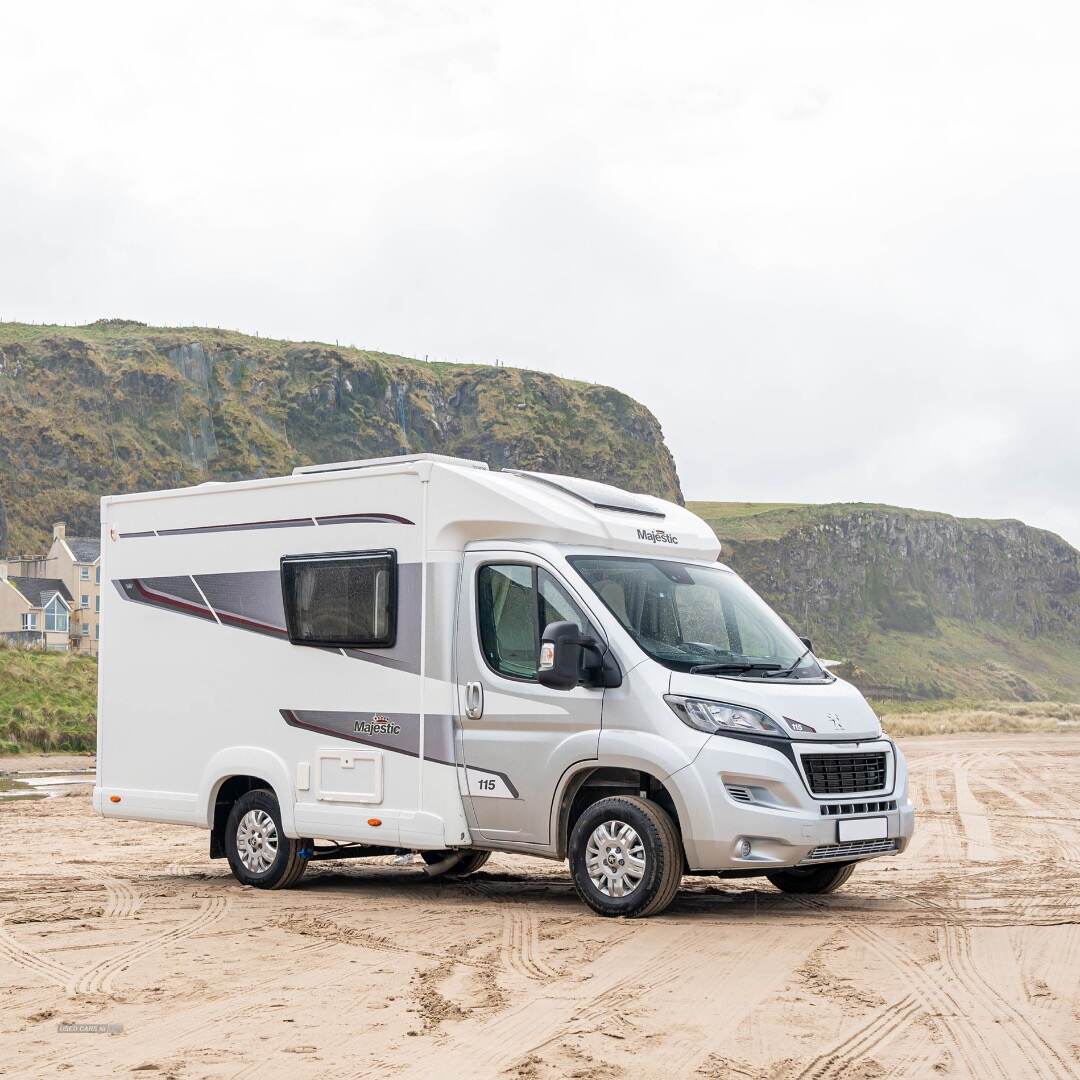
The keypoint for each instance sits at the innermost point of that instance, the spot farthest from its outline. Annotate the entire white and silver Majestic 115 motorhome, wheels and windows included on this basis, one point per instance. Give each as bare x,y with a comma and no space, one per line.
420,655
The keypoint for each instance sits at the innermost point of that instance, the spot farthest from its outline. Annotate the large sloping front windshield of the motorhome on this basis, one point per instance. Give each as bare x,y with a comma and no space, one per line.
691,617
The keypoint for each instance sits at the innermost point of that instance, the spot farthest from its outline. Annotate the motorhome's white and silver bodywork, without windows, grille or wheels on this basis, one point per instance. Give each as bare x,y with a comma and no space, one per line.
200,683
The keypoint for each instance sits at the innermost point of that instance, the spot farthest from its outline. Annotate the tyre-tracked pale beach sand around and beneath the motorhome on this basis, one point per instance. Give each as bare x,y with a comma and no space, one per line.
961,958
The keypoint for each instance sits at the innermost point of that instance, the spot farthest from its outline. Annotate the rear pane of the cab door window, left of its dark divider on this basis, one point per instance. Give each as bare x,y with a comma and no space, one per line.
507,611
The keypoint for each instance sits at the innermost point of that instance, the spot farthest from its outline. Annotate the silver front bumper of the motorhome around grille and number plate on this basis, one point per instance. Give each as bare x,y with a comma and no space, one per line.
741,791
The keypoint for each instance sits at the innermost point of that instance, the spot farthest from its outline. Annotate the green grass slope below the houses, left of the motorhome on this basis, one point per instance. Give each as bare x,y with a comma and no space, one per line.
48,701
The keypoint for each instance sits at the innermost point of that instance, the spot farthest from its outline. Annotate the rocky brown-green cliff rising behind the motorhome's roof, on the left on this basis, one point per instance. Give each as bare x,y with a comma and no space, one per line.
118,407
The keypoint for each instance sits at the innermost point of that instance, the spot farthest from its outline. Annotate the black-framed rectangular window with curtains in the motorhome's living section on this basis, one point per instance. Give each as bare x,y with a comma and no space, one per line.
342,601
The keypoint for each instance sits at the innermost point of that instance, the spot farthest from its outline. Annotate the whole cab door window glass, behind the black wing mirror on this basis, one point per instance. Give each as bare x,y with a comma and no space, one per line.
515,604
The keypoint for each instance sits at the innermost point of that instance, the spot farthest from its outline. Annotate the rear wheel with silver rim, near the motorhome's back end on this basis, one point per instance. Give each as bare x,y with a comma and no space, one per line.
255,844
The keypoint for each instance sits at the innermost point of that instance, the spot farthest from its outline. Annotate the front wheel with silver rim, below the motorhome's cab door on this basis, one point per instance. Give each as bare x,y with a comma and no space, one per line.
601,842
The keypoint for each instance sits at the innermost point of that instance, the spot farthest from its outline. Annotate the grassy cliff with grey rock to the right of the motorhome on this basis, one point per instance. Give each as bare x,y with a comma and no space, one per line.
924,606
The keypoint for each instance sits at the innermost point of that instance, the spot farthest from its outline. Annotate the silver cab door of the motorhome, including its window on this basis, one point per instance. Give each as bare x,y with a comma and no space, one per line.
517,737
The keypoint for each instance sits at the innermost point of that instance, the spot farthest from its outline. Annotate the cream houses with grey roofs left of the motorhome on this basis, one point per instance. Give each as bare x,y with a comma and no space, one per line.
72,571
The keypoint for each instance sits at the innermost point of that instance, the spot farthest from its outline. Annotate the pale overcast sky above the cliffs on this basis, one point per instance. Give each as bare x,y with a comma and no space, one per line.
832,246
